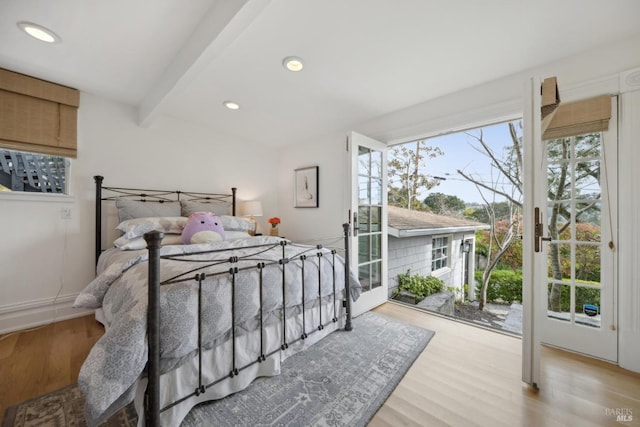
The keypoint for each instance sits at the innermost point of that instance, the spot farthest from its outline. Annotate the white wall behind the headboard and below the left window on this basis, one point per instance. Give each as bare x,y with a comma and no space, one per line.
43,256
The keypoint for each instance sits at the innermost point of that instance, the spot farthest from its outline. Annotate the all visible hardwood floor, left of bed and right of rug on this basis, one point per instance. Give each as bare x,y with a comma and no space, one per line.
466,376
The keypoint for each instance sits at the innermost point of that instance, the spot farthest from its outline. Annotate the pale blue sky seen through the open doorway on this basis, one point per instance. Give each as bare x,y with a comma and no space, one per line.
459,154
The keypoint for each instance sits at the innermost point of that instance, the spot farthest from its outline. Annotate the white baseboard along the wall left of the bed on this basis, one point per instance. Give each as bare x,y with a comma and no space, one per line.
16,317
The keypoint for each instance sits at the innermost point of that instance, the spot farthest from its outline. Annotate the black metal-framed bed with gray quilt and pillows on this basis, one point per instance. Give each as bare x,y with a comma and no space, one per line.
186,324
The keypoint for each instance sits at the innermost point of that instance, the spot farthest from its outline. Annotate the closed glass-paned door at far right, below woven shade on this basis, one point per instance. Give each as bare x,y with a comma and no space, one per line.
575,242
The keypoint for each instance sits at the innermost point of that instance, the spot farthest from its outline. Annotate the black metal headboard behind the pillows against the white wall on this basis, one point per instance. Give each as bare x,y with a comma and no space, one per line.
105,194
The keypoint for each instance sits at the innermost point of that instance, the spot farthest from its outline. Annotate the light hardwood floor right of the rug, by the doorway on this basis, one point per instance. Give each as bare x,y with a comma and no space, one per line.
469,376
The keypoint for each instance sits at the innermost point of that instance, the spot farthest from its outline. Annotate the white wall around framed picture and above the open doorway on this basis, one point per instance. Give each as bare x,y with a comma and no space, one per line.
503,99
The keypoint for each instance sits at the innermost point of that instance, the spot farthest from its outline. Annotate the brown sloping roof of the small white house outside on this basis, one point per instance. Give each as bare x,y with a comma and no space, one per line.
408,223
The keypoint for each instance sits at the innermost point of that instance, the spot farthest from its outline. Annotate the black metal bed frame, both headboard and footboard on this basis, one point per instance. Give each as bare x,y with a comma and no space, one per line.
152,405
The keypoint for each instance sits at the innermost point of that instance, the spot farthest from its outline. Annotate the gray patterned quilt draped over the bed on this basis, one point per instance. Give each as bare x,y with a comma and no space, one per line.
110,373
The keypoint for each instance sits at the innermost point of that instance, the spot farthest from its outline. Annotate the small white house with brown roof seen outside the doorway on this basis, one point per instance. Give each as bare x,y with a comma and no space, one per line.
430,244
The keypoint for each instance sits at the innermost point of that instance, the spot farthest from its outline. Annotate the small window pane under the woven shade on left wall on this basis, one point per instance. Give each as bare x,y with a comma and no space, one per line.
31,172
